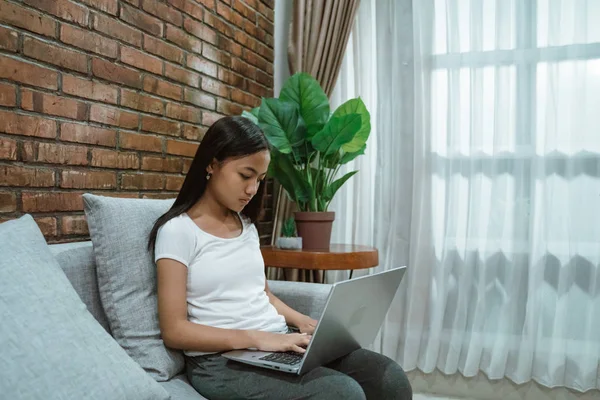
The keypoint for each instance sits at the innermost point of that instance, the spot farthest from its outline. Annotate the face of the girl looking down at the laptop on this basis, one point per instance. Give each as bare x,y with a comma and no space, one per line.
234,182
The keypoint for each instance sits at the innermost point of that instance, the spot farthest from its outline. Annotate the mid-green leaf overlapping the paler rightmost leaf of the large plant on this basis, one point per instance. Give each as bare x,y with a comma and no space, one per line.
338,131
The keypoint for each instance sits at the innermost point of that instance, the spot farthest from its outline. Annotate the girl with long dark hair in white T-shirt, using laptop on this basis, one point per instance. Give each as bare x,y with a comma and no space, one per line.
213,295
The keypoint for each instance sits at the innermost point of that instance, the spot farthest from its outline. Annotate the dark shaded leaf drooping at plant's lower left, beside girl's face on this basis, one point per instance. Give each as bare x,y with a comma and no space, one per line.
282,168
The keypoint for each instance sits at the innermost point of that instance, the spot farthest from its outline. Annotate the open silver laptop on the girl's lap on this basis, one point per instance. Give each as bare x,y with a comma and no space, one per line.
353,315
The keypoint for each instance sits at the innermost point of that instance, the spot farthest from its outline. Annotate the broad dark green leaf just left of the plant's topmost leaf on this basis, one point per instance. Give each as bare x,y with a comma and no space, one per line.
282,125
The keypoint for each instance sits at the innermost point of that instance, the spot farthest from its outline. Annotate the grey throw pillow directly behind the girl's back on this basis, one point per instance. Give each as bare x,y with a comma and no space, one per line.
126,274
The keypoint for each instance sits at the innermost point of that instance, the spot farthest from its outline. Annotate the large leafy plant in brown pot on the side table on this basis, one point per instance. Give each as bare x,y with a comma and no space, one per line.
309,144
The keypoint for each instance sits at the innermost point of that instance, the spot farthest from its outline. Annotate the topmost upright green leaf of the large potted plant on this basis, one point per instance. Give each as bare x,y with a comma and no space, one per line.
305,91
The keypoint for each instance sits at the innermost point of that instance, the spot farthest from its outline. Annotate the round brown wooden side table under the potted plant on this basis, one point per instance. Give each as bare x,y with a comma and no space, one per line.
339,257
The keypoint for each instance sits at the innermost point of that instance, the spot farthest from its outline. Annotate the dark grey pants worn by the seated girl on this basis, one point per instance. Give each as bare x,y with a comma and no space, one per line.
361,374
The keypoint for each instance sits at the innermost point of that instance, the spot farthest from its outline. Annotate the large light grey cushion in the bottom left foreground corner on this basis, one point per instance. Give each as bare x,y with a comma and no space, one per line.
51,346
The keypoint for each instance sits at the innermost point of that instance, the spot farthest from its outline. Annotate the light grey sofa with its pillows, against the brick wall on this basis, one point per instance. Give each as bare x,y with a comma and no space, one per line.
63,336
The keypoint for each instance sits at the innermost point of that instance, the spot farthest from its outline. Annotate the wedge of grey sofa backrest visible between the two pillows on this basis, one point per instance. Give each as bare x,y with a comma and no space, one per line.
77,262
